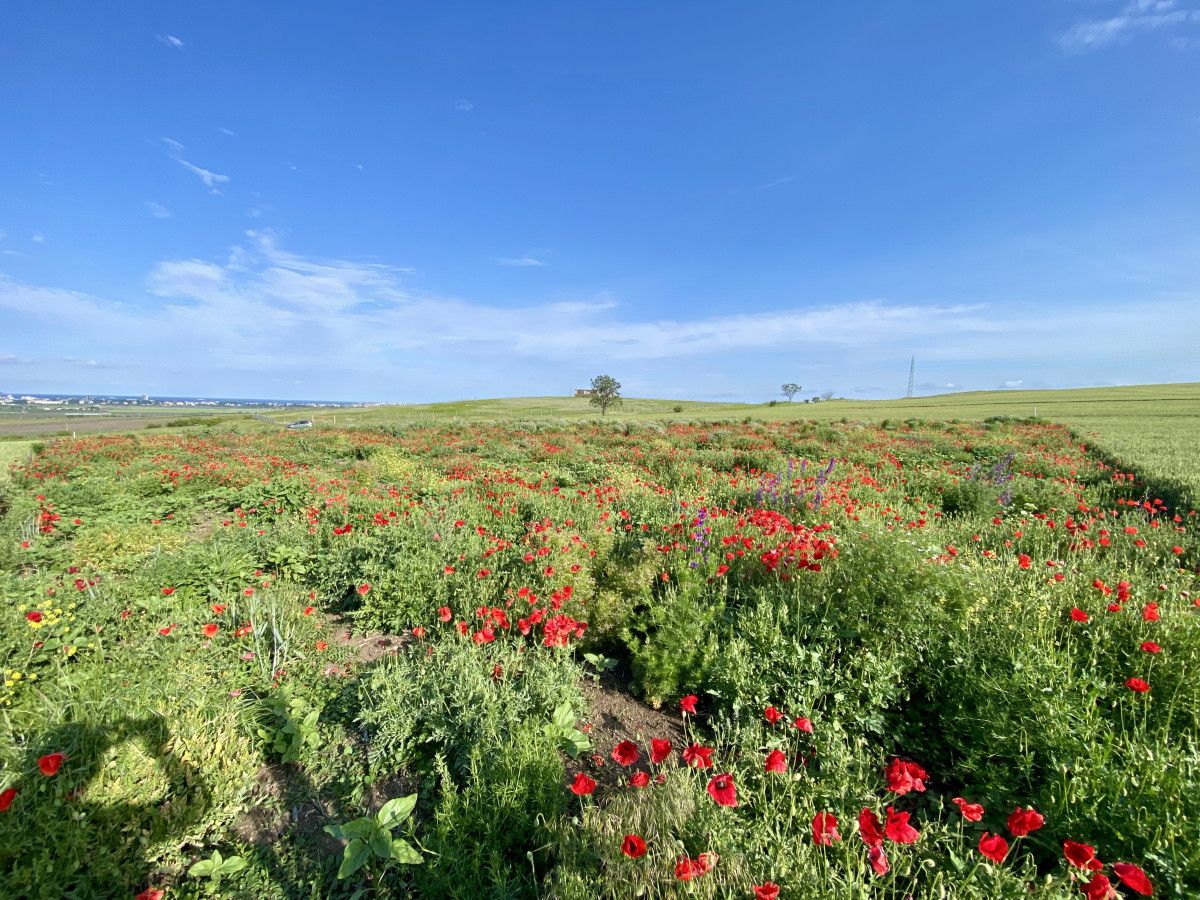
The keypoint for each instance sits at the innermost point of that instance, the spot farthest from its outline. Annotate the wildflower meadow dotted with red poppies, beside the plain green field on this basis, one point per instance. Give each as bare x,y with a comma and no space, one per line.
838,661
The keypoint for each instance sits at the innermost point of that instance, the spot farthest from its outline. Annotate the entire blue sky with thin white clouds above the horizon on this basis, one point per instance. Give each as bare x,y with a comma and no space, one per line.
465,200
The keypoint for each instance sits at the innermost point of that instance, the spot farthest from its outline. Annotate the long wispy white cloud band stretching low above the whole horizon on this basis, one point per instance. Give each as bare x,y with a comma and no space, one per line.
266,313
